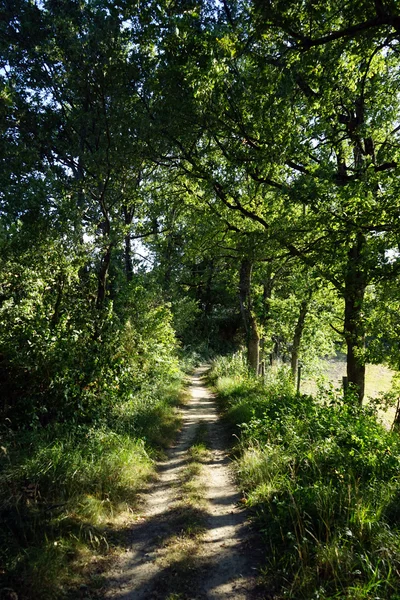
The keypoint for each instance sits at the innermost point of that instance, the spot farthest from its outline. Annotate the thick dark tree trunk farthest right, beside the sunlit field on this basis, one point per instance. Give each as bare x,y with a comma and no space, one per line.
354,328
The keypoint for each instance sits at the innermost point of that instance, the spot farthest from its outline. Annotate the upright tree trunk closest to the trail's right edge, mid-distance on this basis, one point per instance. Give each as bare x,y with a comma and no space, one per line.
249,319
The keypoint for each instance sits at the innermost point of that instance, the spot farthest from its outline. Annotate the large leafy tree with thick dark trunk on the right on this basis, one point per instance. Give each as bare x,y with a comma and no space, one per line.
295,142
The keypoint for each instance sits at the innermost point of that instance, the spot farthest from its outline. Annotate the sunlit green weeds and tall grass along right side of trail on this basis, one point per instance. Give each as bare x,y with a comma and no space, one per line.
322,478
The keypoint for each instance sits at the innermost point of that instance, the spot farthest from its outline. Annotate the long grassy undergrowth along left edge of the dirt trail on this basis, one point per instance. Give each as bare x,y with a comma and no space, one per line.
63,488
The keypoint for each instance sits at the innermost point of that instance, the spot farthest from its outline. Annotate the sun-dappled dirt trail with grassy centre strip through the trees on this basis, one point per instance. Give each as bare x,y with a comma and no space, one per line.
185,549
